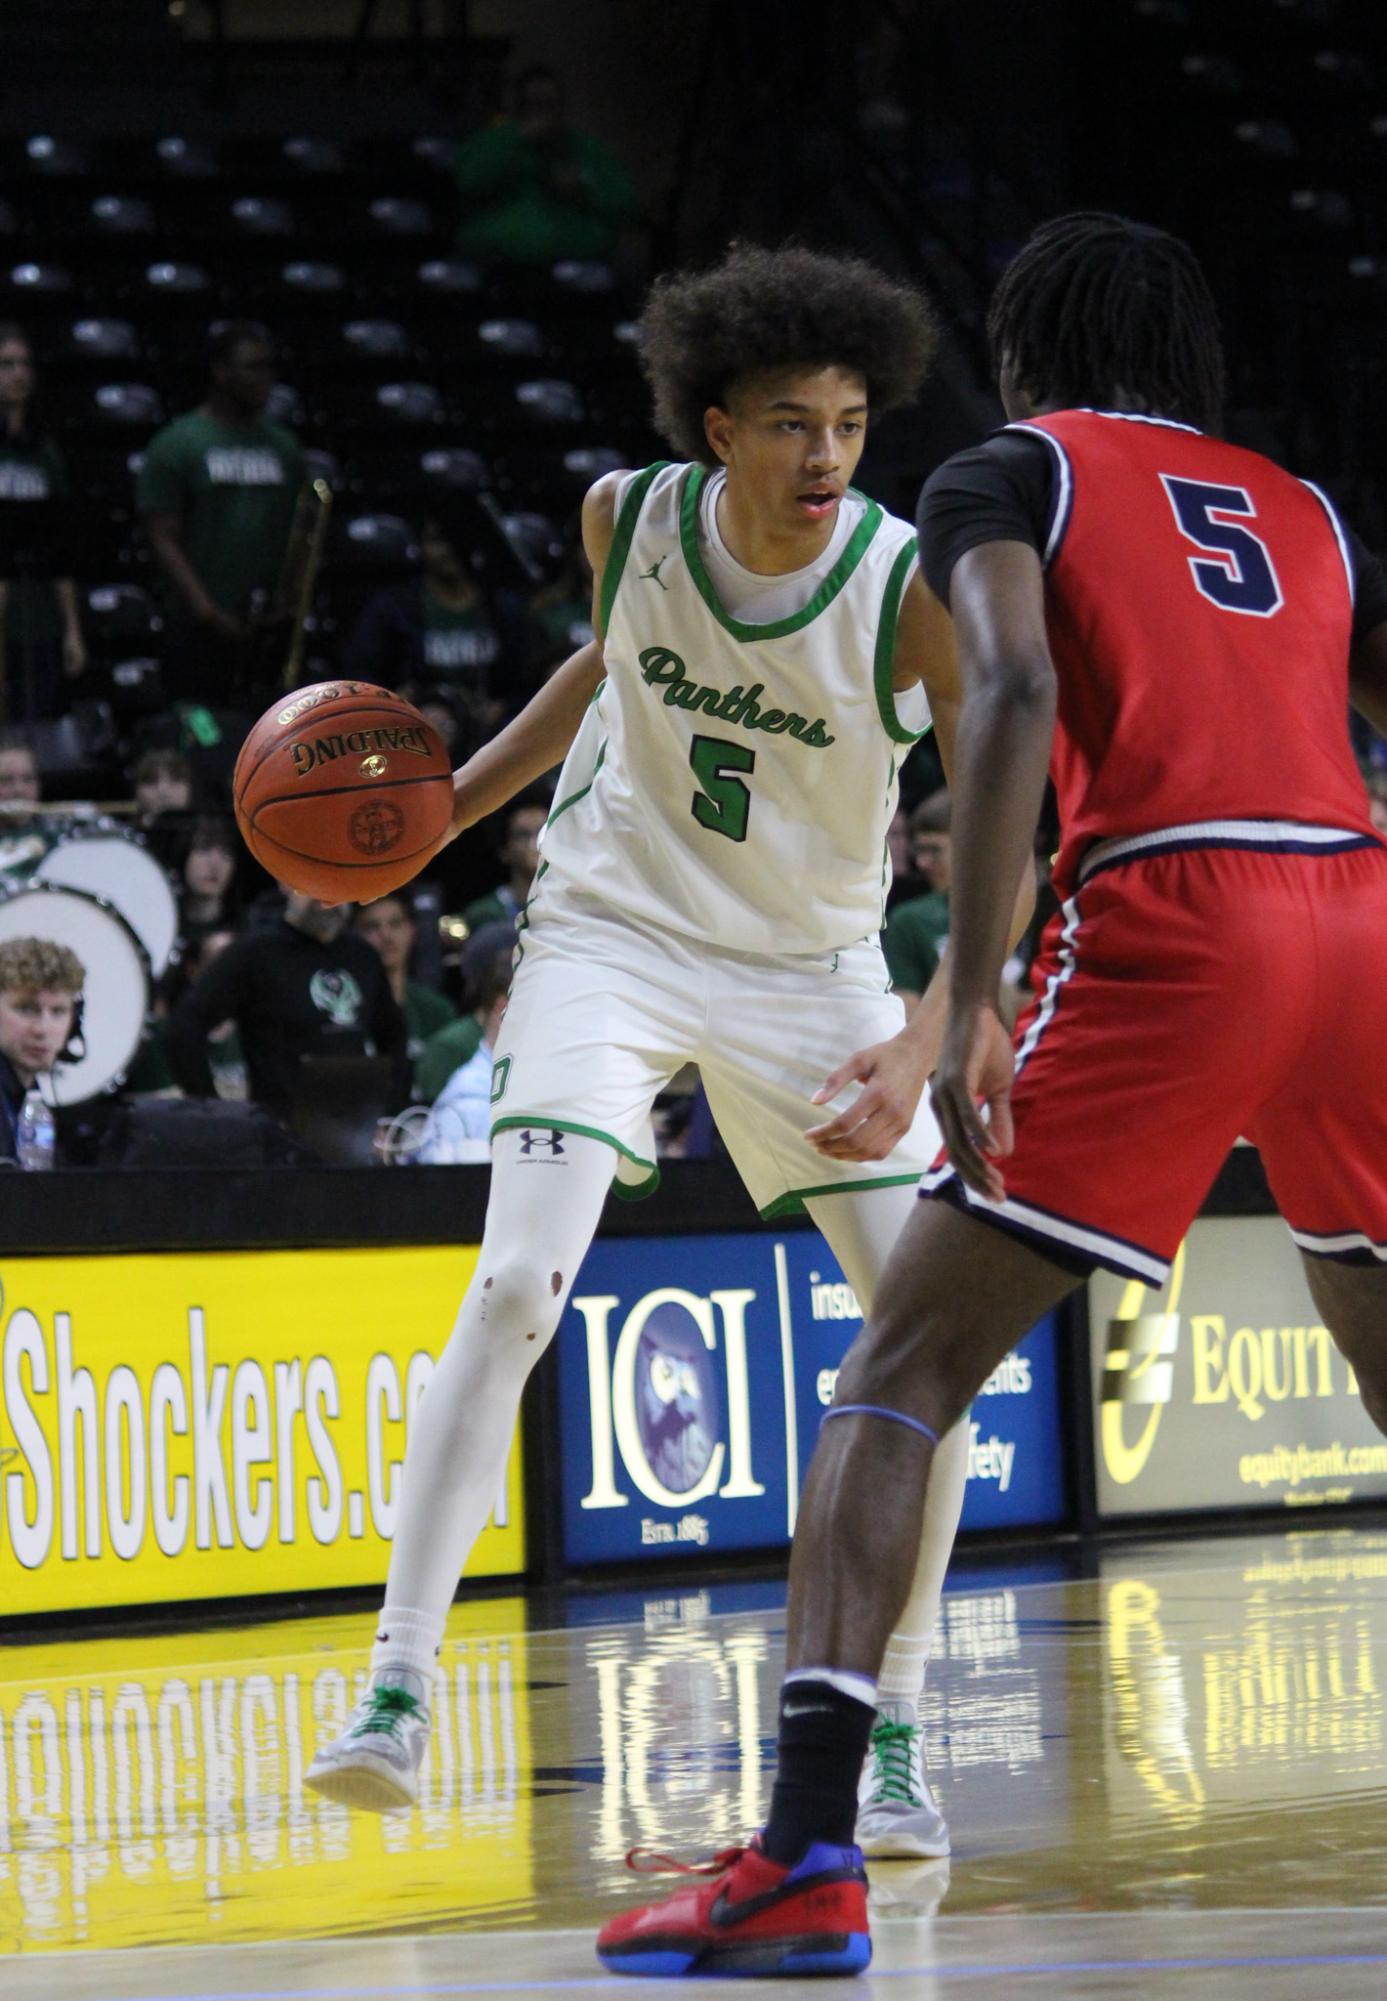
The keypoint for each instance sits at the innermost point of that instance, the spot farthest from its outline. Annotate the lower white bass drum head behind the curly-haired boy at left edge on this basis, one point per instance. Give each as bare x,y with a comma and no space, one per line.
115,995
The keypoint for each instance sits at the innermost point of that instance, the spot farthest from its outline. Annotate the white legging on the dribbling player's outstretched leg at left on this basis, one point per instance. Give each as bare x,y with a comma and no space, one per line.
539,1226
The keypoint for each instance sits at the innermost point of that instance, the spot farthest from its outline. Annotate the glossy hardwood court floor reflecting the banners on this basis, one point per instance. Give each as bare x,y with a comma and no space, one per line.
1162,1782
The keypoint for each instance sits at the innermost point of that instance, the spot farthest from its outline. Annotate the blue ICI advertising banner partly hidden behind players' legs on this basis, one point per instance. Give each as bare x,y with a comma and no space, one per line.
696,1374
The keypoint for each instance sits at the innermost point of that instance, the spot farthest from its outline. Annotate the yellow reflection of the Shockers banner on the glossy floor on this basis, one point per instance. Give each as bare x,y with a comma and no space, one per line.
151,1792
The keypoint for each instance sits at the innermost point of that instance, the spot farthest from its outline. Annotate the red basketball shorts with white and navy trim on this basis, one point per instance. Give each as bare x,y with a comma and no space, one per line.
1188,999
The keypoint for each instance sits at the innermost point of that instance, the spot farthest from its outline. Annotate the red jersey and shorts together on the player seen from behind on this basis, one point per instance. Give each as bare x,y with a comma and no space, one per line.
1220,871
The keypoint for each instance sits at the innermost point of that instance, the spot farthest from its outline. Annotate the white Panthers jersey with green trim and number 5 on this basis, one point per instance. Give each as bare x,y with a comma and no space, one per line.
738,781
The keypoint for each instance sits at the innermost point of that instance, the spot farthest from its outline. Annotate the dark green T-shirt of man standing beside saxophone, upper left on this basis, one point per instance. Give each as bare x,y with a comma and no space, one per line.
233,487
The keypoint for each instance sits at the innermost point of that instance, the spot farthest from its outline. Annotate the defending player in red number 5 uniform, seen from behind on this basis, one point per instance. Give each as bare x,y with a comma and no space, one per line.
1174,629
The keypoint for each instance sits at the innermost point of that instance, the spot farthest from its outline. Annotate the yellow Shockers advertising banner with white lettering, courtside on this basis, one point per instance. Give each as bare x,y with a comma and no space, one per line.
217,1426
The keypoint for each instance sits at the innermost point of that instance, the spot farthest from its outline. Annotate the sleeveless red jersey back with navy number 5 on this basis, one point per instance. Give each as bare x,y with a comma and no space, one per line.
1200,607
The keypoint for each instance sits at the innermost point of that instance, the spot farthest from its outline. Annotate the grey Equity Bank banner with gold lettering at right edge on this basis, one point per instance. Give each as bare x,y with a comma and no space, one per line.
1226,1390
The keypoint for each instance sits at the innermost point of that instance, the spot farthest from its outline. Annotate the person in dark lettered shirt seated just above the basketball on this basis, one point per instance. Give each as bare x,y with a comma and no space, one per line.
433,631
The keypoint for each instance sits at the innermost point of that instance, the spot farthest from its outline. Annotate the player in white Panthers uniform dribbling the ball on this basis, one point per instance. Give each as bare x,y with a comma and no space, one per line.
712,889
